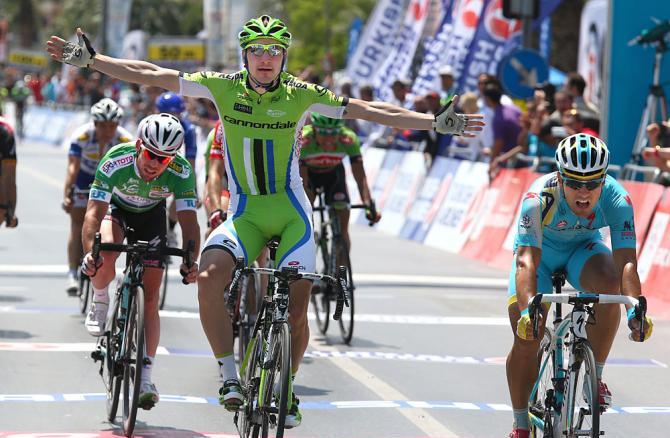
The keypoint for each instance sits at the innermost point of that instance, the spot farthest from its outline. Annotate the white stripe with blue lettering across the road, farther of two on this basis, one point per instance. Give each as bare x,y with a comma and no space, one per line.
70,347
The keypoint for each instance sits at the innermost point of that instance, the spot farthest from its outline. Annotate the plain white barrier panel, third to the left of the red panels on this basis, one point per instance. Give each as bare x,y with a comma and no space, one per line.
411,173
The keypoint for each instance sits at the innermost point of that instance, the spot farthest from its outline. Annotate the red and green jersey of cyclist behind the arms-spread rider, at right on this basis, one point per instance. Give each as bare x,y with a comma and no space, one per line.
328,156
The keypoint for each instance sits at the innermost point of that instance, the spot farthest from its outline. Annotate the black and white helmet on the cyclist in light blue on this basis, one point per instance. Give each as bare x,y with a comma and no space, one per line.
582,156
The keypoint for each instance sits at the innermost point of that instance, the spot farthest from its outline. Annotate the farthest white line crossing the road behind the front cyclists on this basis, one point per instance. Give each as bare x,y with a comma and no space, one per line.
359,278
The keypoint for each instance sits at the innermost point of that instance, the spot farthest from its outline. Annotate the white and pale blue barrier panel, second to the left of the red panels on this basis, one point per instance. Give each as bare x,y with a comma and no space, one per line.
429,199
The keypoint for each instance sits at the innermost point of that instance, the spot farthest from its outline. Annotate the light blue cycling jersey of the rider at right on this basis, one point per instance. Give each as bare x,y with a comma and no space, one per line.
547,220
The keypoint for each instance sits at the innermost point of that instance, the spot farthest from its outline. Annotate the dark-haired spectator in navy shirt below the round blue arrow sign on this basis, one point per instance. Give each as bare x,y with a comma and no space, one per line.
505,122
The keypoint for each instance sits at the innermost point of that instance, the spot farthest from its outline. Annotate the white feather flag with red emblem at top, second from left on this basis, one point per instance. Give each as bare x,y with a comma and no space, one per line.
399,61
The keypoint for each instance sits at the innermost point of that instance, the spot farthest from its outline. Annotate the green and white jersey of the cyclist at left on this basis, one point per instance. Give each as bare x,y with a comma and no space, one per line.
117,180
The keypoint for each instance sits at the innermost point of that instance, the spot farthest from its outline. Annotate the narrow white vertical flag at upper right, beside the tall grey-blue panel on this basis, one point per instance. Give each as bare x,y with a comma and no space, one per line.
592,35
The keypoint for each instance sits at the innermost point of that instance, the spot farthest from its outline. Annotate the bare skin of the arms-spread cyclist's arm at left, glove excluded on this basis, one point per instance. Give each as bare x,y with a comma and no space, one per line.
138,72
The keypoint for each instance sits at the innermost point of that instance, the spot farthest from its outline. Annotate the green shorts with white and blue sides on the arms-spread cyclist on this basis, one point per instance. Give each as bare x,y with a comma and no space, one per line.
254,219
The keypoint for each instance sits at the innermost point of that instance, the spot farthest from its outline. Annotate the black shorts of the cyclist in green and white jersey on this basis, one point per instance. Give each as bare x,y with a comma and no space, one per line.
149,226
